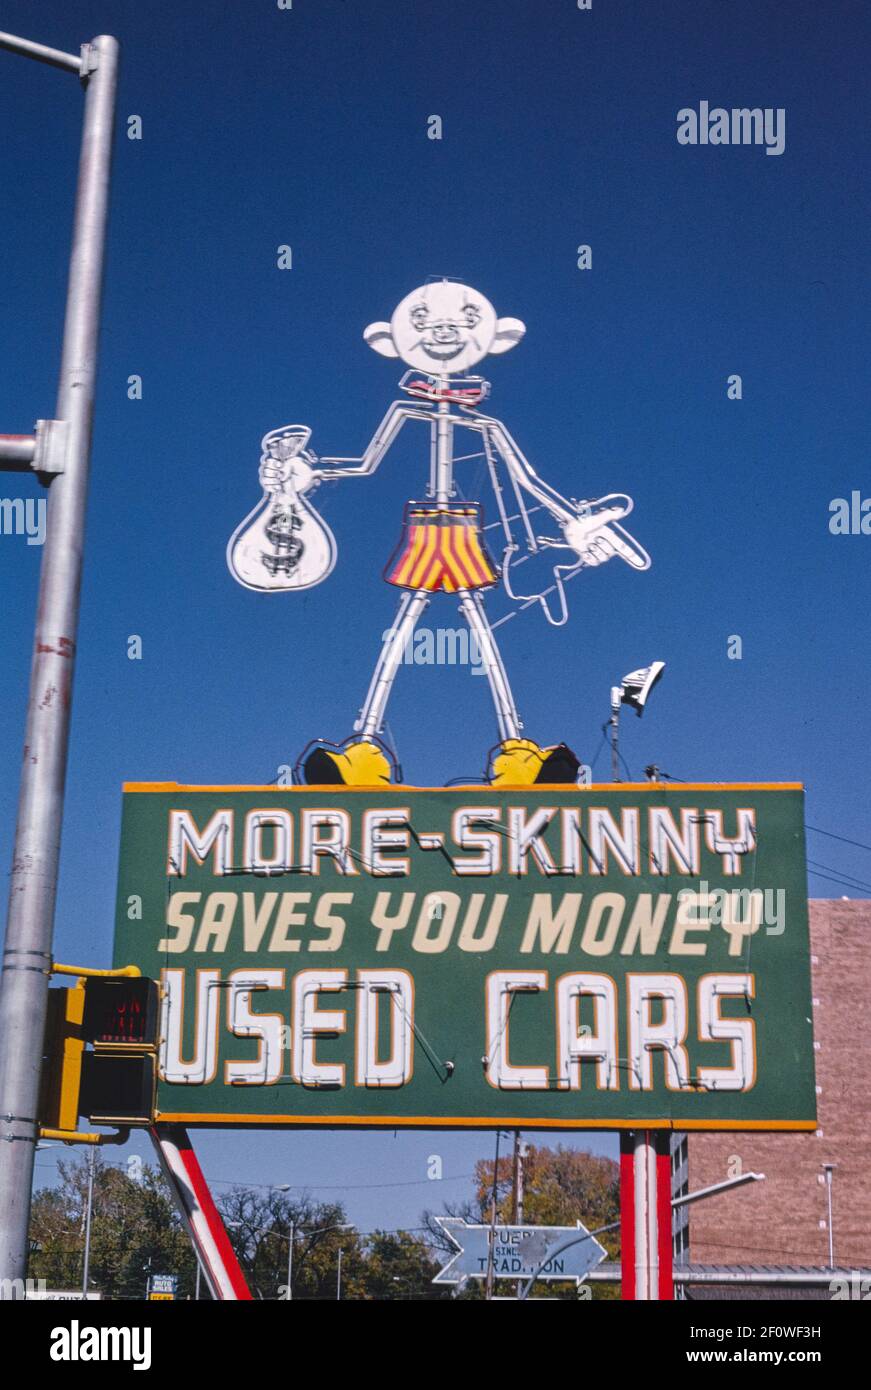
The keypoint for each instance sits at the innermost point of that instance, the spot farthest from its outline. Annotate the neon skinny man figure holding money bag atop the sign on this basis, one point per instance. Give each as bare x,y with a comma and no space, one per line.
440,332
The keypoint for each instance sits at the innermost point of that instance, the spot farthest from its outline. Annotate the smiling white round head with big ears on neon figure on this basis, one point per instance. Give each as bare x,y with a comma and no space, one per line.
444,327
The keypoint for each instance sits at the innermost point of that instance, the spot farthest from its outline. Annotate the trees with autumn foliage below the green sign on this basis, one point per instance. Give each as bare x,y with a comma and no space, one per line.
137,1231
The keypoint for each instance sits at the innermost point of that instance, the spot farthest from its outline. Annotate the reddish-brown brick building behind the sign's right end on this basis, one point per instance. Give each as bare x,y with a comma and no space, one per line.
784,1221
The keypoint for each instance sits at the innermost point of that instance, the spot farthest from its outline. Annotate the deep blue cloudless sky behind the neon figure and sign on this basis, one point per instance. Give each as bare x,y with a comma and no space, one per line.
309,129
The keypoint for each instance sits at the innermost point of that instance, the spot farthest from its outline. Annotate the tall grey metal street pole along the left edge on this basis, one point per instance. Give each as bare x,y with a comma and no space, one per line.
59,450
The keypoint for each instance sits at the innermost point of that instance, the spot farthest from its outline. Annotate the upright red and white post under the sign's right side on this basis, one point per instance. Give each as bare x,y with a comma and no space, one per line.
645,1216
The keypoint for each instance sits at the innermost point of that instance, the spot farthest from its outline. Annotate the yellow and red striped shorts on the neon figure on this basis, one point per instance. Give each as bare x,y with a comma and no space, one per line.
441,548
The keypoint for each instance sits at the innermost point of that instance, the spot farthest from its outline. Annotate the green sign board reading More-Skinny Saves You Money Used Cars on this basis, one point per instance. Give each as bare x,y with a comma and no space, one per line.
572,958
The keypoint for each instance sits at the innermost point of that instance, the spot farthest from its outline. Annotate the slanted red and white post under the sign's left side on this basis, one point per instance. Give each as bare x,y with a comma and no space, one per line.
202,1218
